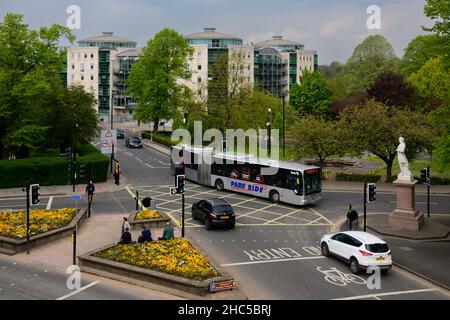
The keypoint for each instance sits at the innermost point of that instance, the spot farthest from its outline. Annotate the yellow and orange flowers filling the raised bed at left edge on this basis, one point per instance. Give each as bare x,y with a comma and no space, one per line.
13,223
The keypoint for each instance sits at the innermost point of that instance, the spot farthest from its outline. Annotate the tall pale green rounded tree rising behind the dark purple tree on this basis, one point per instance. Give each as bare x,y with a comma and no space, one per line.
372,57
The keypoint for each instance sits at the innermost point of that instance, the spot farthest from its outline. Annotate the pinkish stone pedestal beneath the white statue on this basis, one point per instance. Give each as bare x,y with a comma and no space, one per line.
406,216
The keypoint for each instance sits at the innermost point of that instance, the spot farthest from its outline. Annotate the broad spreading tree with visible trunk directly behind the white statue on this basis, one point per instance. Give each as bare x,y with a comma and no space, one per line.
376,128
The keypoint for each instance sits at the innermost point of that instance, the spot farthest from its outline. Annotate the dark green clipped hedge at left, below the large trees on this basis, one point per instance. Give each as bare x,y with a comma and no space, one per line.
50,171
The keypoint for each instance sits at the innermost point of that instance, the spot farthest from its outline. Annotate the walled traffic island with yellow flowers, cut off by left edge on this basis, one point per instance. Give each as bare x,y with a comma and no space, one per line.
45,226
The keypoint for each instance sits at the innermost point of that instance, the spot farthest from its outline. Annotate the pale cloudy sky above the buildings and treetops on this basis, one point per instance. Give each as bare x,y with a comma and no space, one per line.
332,27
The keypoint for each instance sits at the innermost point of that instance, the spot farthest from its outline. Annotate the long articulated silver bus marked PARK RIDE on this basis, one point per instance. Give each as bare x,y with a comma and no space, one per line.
293,183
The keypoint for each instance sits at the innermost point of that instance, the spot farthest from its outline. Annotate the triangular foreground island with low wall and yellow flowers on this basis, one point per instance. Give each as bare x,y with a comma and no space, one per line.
173,264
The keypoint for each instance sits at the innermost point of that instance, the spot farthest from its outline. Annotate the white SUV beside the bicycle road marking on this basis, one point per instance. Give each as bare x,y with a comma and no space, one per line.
360,249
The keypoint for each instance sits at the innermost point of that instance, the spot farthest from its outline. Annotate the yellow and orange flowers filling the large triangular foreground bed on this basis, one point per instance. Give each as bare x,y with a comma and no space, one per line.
175,257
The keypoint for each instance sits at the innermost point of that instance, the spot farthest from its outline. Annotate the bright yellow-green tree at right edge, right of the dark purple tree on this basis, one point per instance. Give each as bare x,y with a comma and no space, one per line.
432,82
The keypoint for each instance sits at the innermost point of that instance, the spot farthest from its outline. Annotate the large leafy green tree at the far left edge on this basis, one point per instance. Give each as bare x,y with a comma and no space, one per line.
30,62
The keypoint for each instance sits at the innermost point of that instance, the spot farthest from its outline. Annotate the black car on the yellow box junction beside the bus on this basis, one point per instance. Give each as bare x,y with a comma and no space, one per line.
214,212
